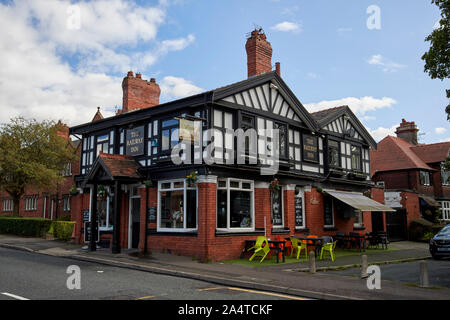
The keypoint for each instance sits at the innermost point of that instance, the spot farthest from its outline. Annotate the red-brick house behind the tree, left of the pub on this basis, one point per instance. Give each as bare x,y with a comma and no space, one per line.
45,203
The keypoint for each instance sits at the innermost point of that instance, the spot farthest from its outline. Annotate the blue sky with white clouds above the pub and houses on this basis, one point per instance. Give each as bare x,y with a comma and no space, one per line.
61,59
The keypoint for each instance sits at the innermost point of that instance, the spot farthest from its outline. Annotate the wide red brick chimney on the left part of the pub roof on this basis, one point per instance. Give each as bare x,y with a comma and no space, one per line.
139,93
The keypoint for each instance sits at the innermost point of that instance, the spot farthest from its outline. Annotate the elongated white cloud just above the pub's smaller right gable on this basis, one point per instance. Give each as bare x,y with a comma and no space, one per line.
358,105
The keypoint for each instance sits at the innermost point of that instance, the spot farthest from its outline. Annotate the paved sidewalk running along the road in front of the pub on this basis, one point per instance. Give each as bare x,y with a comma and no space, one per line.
285,278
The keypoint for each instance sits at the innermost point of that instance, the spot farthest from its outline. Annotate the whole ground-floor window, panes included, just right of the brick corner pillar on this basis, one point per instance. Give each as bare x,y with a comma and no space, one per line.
235,204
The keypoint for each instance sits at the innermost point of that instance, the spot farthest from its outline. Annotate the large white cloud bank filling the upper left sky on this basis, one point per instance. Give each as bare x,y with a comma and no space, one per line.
35,79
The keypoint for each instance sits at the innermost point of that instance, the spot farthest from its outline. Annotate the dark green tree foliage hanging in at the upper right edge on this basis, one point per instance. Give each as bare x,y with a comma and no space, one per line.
437,59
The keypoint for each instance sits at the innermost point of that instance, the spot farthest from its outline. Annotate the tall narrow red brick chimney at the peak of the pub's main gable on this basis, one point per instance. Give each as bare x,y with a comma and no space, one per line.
259,53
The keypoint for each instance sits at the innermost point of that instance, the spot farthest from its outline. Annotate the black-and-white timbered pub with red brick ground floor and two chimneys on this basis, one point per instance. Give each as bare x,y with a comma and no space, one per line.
145,200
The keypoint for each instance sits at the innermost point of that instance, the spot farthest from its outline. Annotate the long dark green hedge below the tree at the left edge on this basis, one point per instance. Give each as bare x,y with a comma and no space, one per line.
30,227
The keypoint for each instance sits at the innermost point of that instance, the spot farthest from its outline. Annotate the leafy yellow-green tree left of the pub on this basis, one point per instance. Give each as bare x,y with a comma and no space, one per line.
32,155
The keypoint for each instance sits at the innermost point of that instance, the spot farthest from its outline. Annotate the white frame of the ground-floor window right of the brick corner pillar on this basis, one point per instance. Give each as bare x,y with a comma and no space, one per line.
252,203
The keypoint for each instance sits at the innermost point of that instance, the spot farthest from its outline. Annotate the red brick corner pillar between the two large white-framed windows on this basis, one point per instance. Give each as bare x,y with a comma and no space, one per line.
206,215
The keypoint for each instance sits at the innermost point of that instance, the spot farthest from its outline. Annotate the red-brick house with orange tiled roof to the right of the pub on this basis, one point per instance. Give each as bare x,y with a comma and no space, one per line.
413,176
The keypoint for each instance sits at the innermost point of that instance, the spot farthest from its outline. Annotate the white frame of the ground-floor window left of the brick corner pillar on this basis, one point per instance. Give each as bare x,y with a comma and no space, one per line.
185,188
